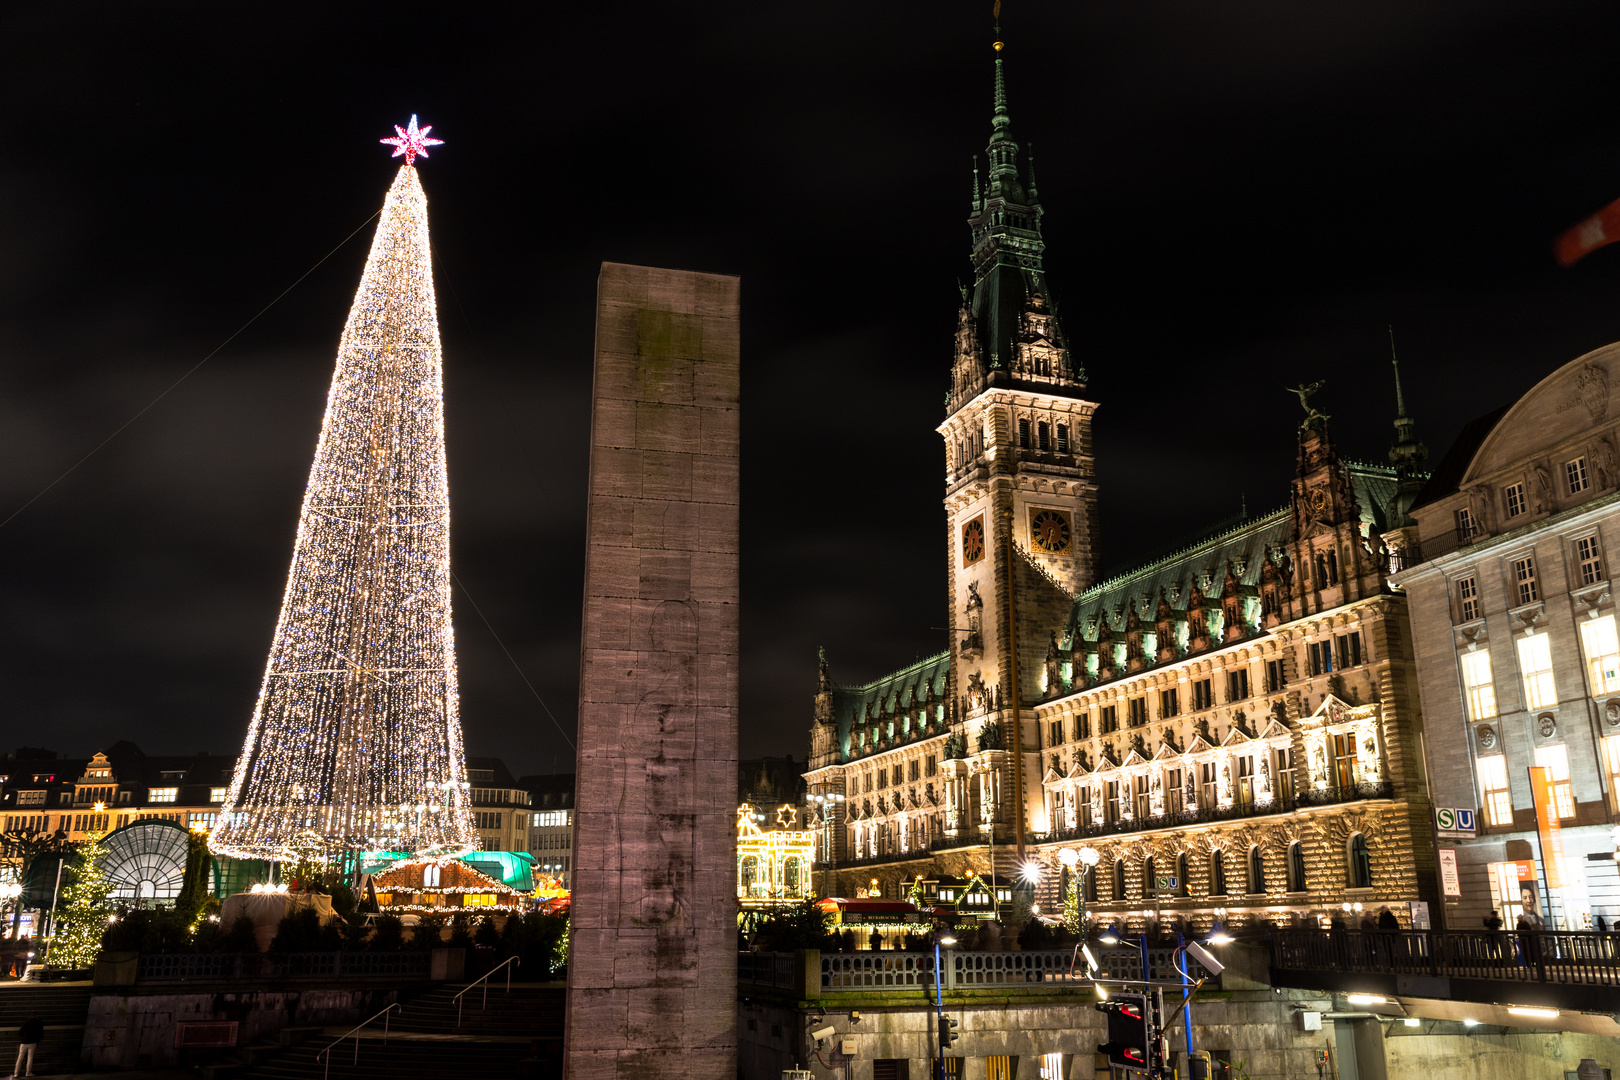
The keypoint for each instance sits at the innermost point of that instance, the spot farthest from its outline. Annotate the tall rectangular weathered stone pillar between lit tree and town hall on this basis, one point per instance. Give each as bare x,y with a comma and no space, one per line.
652,969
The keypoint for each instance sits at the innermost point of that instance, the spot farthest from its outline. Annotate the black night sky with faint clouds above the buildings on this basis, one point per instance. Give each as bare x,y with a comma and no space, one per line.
1240,197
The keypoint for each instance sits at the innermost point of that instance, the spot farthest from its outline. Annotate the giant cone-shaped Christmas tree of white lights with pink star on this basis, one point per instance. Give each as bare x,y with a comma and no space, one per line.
356,742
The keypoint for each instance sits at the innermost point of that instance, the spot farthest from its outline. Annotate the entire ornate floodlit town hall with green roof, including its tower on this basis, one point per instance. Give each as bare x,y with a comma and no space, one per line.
1234,728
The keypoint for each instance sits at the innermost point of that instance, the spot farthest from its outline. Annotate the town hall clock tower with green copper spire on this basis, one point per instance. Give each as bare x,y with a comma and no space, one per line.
1020,487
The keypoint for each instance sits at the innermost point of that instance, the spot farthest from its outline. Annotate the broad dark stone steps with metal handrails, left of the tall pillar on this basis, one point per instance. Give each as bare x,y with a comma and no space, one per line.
519,1034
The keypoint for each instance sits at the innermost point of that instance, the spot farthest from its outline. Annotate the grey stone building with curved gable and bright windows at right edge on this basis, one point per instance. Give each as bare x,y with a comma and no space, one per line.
1514,614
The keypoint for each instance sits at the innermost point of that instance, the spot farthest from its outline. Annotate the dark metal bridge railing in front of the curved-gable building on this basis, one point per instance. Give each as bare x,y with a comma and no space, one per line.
1548,956
